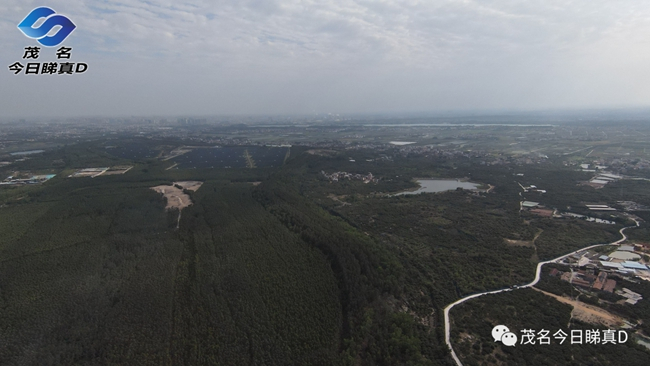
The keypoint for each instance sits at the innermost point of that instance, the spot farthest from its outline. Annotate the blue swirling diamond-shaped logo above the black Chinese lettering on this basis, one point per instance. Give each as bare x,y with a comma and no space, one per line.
51,21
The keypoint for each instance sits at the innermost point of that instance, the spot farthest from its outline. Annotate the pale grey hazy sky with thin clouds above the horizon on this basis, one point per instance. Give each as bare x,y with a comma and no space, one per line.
264,56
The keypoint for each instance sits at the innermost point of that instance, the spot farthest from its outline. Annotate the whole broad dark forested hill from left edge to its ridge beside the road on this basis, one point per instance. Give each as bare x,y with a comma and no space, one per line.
93,271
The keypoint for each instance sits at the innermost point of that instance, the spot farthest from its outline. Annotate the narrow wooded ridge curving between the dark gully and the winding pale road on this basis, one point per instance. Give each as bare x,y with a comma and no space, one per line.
370,279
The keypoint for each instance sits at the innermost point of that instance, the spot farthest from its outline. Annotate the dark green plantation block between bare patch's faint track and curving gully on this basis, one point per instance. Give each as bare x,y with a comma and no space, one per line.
247,290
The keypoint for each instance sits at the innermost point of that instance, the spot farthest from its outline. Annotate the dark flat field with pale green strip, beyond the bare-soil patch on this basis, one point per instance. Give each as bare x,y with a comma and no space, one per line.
232,157
